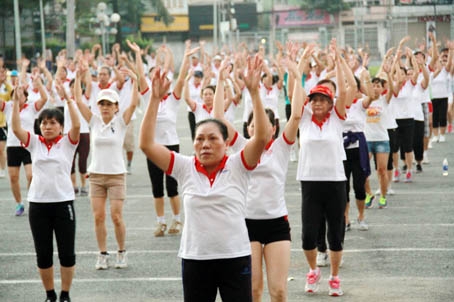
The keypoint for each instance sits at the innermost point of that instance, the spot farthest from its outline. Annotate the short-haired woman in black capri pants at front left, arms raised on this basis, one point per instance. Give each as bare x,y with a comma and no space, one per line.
51,193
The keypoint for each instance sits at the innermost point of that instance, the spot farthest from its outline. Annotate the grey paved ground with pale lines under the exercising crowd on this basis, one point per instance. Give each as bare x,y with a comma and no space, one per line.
407,254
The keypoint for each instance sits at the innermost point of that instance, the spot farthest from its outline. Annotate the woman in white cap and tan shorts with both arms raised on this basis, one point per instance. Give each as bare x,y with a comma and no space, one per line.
107,168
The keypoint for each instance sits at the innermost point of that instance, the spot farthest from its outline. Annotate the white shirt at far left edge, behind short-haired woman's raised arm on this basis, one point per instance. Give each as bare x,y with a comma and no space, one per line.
27,118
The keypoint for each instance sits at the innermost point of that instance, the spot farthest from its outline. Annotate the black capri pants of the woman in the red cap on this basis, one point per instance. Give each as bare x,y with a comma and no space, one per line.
323,199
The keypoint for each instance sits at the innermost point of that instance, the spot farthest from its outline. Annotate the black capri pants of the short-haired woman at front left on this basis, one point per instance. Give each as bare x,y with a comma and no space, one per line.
46,219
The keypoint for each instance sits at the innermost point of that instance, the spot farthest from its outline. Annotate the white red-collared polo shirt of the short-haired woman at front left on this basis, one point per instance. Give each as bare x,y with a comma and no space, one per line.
51,165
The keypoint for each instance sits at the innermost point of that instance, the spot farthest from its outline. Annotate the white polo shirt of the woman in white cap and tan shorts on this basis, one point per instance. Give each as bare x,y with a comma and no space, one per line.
106,141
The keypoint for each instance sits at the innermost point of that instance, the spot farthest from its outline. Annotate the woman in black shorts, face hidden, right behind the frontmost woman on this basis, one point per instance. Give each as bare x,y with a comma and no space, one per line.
266,210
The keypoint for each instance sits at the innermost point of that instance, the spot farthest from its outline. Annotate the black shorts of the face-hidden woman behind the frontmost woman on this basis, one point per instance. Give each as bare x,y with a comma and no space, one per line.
268,230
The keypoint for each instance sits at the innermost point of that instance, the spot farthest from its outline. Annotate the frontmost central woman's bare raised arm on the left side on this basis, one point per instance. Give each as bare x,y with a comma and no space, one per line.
157,153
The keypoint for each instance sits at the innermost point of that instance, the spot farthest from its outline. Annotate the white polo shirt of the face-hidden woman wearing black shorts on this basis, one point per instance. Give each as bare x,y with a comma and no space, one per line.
266,193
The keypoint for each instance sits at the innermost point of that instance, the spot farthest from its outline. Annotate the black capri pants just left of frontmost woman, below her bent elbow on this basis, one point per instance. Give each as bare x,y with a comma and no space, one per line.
157,178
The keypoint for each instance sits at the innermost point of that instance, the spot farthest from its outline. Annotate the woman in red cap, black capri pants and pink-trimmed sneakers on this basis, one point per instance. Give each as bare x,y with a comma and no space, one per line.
322,176
